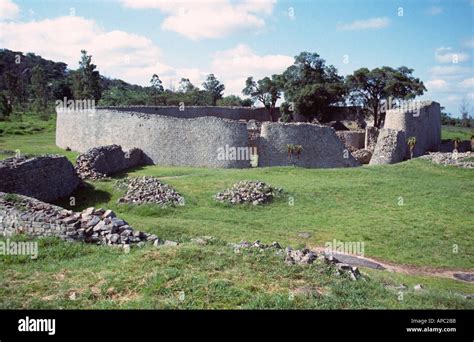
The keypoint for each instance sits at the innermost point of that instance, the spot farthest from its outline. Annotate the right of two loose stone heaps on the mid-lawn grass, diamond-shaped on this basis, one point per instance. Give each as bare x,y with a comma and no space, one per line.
254,192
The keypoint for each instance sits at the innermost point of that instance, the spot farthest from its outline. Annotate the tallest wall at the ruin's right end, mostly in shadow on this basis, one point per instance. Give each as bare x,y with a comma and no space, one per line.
424,123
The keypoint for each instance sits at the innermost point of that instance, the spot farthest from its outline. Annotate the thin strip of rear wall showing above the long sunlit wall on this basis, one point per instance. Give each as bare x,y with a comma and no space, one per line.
189,112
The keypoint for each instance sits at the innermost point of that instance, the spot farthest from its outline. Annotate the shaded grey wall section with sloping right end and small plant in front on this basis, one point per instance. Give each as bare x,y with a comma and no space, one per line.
321,146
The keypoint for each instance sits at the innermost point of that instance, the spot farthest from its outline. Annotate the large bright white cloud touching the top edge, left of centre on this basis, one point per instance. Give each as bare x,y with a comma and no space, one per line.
208,19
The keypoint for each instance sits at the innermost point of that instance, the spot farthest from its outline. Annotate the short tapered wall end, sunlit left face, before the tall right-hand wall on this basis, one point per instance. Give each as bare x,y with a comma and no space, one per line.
391,147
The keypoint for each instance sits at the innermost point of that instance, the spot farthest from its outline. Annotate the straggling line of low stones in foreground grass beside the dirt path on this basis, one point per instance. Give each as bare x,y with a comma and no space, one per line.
301,257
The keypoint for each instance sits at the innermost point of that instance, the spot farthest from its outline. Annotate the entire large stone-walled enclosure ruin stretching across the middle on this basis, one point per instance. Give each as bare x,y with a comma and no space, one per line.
238,137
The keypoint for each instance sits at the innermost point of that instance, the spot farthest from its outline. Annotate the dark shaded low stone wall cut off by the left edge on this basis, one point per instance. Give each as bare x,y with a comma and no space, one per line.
46,178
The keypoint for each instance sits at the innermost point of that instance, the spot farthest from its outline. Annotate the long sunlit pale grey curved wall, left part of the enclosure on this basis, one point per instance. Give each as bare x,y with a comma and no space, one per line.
165,140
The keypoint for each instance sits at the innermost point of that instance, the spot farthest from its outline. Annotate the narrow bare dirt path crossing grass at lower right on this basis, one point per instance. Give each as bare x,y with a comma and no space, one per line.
460,275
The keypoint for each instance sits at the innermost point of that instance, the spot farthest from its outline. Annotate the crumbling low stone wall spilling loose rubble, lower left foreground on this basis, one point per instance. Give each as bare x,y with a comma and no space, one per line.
25,215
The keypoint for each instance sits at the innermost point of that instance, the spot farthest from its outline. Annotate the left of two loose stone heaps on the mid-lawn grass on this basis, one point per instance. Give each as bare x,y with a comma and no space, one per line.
149,190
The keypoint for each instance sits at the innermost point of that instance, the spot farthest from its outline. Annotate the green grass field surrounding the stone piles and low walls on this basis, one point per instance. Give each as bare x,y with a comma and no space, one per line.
413,214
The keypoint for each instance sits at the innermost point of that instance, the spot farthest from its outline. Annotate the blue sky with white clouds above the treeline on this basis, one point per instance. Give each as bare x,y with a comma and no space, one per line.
235,39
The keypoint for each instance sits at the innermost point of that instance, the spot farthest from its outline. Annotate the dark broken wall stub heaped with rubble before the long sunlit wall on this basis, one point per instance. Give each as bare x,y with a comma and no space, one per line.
102,161
